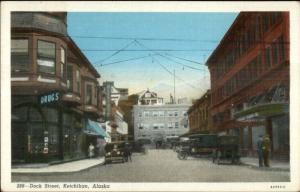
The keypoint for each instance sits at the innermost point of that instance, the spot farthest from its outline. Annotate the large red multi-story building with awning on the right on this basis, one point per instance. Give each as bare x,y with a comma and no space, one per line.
250,80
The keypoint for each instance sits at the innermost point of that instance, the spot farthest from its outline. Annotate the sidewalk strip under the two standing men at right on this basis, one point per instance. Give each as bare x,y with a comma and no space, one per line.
274,164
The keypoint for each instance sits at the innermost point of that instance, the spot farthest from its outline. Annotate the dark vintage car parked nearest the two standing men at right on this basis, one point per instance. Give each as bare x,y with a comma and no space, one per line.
227,150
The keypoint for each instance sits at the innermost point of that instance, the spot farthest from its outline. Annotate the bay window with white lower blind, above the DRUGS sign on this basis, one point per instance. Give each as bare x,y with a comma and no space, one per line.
46,57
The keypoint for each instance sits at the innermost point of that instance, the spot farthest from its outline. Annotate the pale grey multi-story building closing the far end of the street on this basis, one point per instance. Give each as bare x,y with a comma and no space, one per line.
160,121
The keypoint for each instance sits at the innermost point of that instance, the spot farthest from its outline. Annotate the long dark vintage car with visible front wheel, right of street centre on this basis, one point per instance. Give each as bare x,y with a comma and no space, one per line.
197,145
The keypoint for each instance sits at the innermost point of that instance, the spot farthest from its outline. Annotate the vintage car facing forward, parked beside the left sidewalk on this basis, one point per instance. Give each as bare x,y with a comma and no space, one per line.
114,152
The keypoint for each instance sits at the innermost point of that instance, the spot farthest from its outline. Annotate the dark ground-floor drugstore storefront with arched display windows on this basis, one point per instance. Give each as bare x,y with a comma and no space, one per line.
45,133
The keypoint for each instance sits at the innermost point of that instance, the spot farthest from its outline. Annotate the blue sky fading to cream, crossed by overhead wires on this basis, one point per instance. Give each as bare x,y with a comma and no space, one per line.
142,51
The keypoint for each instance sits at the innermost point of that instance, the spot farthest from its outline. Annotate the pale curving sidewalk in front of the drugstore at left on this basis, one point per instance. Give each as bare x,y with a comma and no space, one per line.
73,166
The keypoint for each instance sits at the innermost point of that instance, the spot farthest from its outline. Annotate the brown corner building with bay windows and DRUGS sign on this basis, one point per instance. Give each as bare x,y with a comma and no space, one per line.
54,90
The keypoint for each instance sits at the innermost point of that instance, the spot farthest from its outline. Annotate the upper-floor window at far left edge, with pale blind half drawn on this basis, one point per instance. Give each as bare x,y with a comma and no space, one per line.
19,55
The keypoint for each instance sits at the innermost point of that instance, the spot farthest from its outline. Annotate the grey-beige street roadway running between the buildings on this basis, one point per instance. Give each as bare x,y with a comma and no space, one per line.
161,166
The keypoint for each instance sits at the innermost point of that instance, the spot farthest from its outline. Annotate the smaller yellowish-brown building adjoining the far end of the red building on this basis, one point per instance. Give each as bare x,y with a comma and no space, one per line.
200,120
